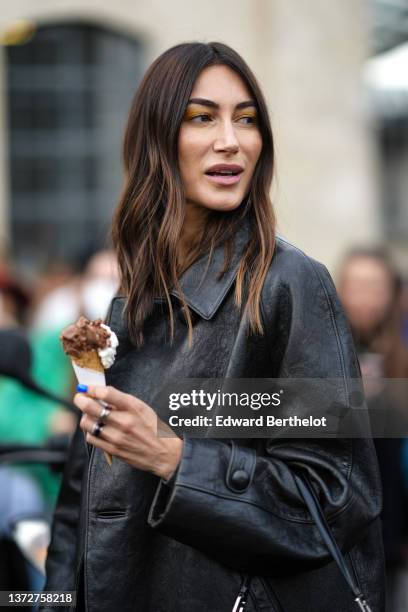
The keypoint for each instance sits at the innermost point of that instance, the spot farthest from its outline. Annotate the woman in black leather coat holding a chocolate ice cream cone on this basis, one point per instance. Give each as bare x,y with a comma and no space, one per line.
208,291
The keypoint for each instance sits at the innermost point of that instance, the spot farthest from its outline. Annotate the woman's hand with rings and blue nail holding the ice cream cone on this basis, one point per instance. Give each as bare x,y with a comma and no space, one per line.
130,431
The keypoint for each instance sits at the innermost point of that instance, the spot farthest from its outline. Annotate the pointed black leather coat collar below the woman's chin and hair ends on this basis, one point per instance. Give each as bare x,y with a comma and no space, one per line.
203,292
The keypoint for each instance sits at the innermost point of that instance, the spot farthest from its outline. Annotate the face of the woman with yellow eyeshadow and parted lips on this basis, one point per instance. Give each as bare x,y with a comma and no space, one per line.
219,127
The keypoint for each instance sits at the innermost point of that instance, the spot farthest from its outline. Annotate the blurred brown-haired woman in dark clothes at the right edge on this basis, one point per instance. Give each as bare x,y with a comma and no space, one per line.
370,289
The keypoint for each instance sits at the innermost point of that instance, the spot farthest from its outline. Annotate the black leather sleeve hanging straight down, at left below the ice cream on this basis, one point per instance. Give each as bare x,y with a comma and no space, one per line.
62,556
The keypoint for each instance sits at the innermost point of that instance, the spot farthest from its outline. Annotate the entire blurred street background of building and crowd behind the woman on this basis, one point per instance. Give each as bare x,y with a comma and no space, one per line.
335,75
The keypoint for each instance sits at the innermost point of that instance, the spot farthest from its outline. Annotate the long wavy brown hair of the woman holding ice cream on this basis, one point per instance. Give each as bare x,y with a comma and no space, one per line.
148,221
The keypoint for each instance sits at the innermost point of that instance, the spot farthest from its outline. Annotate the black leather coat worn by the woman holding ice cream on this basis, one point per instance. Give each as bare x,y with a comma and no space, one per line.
145,545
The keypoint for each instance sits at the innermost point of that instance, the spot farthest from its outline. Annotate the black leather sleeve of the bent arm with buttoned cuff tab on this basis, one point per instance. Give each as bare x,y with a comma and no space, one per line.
257,522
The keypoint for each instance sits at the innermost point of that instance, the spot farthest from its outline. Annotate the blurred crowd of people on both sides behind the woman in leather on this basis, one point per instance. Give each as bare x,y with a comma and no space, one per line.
375,299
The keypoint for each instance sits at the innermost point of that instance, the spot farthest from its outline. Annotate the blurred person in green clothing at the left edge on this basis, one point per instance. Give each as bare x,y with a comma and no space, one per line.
26,417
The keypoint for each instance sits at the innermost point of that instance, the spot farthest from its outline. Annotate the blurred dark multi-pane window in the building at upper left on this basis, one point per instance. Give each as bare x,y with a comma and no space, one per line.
70,89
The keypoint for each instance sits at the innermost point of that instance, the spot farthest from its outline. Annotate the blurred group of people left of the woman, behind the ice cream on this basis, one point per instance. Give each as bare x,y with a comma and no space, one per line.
41,309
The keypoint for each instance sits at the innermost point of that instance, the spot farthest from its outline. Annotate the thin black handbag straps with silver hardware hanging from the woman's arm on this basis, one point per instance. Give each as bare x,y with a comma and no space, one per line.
311,501
